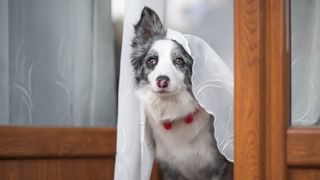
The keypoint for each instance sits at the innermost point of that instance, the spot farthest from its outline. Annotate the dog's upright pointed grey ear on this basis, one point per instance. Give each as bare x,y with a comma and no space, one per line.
149,25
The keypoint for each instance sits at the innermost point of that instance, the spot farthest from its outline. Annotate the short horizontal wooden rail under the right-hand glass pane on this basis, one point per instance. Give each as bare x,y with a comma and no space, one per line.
303,146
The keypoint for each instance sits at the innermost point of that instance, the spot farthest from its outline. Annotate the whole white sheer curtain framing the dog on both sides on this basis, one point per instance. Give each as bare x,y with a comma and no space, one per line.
212,83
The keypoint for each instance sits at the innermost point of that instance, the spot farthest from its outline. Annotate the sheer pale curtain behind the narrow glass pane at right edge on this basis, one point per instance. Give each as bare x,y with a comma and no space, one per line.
305,62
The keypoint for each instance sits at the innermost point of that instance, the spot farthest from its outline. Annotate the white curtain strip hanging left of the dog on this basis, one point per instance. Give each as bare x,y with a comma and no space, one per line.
130,132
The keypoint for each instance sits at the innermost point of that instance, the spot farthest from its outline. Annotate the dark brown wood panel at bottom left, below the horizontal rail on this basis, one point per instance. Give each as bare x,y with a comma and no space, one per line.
57,169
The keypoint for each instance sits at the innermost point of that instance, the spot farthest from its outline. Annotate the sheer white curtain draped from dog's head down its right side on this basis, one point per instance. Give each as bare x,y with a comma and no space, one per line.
212,86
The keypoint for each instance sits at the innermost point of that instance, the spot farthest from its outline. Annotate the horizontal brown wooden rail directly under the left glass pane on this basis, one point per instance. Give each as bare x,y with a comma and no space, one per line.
53,142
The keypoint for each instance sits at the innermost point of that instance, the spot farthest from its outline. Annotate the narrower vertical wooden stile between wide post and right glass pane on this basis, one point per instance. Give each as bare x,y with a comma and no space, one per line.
277,64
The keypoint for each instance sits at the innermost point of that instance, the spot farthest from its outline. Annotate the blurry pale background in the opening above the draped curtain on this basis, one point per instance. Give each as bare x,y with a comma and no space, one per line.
211,20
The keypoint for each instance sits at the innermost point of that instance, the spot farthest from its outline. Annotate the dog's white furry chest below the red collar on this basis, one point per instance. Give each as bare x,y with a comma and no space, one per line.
187,147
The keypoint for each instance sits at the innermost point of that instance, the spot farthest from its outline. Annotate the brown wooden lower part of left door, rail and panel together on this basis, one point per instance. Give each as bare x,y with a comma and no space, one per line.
52,153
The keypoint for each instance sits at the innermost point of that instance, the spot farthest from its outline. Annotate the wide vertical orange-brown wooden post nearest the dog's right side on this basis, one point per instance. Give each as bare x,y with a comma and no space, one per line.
249,90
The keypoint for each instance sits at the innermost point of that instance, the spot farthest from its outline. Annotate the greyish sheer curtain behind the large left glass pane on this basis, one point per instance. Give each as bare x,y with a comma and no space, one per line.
57,62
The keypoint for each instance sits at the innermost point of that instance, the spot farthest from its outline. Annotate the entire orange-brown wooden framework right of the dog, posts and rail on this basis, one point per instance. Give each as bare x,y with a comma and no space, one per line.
266,147
